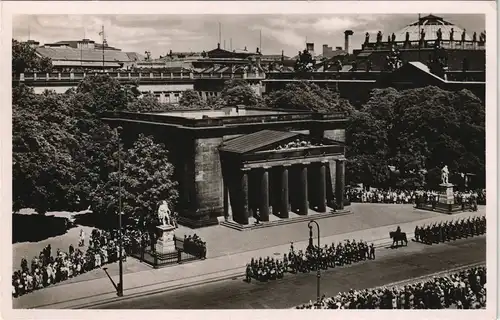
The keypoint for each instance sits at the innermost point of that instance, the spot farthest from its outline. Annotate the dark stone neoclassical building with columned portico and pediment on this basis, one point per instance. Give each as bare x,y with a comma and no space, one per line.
242,163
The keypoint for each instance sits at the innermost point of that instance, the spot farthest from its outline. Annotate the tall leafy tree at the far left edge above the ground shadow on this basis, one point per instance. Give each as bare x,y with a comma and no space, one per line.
41,144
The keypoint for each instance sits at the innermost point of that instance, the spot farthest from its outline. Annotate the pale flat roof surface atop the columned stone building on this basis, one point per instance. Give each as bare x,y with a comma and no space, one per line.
222,113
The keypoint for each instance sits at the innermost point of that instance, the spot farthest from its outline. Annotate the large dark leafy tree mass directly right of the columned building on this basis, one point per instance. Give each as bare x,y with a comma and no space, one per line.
422,130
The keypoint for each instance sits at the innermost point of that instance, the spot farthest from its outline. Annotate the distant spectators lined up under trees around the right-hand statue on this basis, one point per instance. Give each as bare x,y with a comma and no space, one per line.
413,196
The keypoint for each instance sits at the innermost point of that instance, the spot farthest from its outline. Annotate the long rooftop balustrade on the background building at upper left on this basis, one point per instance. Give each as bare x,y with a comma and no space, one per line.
146,76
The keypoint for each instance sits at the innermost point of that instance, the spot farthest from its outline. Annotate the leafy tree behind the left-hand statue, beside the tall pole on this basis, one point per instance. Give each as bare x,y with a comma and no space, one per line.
146,179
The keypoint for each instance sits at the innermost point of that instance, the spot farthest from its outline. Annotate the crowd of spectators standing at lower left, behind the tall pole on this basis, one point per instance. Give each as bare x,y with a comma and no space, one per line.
47,269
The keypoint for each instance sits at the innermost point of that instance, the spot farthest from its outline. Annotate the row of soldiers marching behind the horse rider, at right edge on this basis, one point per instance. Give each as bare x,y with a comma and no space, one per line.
450,230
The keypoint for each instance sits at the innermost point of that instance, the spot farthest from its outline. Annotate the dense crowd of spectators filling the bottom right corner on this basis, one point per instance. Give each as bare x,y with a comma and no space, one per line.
461,290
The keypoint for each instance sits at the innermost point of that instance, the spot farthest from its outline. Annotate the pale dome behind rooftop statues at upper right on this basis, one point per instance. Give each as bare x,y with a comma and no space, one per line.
431,24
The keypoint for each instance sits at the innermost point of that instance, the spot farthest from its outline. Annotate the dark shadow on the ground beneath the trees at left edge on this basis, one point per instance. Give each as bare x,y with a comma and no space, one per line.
36,227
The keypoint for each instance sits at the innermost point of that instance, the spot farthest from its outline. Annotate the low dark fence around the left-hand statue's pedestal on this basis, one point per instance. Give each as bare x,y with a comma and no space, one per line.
147,253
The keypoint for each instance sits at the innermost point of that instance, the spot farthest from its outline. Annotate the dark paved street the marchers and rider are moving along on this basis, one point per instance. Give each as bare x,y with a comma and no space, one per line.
392,265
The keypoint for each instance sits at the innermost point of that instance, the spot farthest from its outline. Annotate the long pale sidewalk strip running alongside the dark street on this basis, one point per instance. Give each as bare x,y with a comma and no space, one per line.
85,293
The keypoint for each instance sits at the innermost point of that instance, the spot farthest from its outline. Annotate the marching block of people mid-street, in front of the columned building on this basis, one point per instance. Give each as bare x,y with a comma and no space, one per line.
314,257
